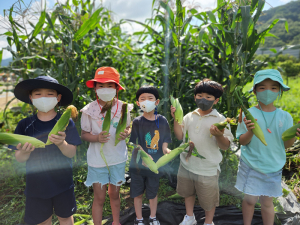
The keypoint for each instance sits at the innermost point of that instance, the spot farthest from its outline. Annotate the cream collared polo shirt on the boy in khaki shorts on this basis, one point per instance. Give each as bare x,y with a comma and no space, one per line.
198,128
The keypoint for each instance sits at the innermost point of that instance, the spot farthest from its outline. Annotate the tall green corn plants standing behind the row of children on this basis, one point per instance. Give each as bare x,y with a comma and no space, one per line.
70,42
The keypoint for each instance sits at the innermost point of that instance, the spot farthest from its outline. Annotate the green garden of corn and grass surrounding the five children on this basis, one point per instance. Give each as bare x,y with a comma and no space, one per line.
72,41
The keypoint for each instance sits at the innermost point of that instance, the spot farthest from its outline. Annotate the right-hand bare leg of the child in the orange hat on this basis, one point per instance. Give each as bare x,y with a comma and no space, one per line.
114,196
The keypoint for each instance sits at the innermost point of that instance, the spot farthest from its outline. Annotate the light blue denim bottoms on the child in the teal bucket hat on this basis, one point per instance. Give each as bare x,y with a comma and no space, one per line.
252,182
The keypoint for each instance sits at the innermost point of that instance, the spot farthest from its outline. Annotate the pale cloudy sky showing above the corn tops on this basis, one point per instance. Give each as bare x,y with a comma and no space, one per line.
123,9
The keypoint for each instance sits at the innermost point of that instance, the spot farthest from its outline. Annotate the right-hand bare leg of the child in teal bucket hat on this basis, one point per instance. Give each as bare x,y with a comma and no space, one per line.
267,210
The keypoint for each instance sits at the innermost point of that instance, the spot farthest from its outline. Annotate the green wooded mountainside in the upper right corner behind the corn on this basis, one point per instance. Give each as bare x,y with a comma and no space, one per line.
290,12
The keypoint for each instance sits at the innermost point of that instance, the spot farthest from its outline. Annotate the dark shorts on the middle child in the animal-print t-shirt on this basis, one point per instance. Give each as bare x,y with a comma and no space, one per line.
139,183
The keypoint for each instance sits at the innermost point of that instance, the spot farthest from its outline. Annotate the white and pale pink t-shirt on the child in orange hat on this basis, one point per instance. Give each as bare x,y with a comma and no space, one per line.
91,121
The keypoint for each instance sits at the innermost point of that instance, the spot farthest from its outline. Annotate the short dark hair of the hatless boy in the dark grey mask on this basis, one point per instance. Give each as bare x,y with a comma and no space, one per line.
210,87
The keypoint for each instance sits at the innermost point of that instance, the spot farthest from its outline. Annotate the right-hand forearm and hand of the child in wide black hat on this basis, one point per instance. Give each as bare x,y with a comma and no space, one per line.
66,149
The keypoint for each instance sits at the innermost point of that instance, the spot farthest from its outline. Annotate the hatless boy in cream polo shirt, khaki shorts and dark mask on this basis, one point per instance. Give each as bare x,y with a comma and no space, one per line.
200,176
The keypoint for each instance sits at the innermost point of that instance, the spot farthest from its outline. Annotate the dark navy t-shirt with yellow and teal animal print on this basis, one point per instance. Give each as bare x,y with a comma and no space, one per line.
151,135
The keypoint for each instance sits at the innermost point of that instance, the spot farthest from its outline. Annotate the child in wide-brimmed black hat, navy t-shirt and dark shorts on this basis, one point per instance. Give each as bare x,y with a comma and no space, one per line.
49,179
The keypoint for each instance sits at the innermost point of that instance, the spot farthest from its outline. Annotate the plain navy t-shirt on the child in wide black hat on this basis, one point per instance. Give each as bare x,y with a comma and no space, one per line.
48,171
